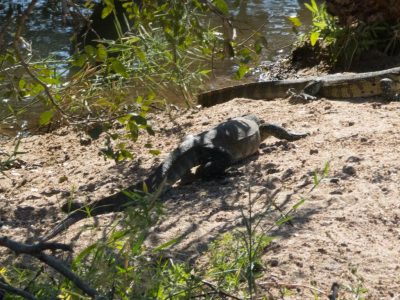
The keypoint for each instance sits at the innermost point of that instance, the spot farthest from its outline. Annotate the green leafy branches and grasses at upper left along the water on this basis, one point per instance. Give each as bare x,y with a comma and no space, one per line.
166,53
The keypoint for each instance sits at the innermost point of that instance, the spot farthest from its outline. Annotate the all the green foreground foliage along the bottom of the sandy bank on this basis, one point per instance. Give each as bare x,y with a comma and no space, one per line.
122,266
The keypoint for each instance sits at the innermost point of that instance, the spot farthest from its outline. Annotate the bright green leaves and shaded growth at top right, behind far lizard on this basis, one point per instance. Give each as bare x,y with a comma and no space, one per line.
344,45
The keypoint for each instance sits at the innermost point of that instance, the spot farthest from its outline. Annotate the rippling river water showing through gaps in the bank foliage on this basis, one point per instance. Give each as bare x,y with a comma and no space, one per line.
49,36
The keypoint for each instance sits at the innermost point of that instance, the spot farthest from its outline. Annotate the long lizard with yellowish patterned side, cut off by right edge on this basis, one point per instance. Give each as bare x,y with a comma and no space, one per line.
335,86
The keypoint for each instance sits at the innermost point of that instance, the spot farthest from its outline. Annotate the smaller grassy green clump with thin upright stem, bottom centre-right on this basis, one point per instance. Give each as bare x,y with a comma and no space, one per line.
235,258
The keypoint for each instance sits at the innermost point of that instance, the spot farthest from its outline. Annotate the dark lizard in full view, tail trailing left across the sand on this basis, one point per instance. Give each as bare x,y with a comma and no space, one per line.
213,151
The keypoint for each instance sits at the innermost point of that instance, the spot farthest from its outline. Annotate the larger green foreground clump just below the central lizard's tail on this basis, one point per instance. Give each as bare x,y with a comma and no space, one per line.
122,267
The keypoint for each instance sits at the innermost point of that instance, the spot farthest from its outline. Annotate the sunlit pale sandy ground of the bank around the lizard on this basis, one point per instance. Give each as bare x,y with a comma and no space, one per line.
347,230
